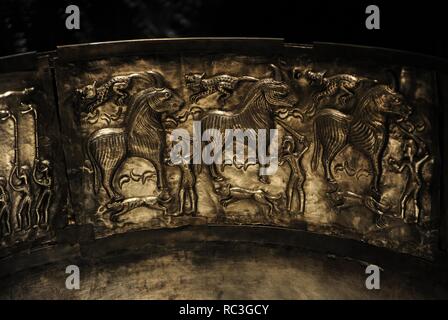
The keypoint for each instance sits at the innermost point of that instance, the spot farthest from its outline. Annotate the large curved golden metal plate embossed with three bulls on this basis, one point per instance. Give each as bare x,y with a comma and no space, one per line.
356,150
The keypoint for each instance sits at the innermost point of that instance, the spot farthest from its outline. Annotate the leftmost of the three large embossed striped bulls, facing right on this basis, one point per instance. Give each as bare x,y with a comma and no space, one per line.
142,136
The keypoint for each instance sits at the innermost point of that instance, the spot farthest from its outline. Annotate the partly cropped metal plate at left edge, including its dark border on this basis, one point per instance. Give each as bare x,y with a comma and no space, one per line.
33,188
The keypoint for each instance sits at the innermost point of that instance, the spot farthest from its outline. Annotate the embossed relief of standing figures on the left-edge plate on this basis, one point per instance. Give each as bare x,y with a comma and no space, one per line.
26,181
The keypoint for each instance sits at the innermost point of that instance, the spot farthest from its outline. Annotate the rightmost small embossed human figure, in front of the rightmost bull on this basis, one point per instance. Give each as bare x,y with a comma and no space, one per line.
414,180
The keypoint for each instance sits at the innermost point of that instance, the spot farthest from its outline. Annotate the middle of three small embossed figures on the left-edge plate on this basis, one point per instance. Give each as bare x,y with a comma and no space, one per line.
19,180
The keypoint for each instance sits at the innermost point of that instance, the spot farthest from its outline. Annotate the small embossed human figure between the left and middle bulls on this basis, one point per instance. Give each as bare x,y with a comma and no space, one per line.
187,186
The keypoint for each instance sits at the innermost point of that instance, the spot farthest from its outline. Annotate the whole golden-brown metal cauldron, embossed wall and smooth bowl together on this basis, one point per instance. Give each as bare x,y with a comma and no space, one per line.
298,166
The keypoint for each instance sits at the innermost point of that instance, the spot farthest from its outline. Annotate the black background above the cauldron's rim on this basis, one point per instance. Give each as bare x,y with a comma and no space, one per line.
29,25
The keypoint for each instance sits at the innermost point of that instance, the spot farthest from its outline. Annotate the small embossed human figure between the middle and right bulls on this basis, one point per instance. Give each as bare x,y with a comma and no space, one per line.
297,176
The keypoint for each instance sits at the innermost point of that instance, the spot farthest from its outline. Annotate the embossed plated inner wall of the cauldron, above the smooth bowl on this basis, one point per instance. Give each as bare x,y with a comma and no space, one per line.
358,143
